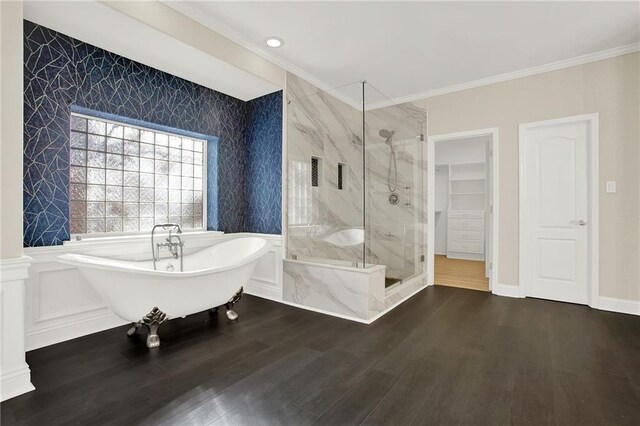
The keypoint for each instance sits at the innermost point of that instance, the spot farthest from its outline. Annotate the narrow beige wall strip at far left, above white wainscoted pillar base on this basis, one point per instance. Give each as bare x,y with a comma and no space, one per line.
10,129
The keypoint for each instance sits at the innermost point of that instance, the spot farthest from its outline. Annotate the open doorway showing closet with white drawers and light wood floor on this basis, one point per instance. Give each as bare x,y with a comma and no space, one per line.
461,204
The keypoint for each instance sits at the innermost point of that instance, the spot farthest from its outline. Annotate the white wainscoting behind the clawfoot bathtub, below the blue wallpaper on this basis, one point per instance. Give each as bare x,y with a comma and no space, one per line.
61,305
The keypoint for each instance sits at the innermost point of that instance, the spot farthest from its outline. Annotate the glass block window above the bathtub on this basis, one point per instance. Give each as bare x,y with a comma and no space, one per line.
125,179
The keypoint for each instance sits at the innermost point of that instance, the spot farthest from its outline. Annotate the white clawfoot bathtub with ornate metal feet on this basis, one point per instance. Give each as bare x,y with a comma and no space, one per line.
136,292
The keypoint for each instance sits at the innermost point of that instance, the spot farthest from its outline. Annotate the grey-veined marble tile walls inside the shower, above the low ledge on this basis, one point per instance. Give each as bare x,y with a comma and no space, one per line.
322,126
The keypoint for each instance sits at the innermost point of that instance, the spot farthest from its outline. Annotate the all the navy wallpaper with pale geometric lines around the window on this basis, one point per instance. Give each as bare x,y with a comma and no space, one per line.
62,73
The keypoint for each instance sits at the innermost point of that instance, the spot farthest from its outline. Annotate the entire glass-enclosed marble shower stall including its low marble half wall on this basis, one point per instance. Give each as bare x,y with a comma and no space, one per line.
356,204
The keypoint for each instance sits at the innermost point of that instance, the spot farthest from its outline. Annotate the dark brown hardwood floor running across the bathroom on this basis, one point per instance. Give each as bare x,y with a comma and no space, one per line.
447,356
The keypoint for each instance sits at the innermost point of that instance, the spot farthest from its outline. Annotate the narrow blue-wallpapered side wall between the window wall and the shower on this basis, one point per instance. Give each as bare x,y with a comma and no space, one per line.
263,156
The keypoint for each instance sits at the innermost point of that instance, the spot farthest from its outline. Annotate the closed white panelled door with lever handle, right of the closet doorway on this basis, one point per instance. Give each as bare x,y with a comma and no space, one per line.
554,210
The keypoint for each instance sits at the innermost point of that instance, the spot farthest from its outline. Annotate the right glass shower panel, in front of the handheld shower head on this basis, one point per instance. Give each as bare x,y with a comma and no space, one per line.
395,188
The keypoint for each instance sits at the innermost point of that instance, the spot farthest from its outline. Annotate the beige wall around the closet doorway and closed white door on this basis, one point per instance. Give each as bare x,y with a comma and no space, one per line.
611,88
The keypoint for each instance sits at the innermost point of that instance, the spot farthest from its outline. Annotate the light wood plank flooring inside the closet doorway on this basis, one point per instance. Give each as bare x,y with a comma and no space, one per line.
469,274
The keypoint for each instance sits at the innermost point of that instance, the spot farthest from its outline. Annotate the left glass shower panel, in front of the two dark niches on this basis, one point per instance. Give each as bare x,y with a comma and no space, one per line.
325,174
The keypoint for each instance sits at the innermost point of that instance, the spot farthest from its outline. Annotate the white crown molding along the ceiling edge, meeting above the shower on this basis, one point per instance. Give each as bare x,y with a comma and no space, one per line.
237,37
